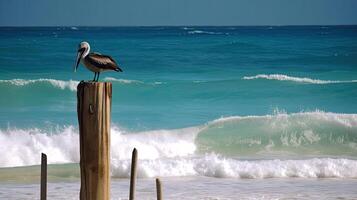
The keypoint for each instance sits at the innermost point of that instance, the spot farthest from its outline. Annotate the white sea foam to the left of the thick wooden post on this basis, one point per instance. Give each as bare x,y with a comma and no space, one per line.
23,147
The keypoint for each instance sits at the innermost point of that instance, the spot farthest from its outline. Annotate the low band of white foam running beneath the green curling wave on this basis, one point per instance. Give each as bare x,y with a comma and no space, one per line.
212,165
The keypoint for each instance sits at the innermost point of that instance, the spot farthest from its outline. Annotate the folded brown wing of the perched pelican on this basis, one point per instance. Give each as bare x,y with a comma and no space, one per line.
102,61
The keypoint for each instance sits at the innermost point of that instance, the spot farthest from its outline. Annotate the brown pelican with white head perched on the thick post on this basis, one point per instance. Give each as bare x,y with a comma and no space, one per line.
95,62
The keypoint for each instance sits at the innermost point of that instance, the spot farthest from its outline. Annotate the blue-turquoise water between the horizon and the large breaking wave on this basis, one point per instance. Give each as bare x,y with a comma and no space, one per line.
181,76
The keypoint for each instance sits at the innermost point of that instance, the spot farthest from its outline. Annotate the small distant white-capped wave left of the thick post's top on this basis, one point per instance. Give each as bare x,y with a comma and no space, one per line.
70,84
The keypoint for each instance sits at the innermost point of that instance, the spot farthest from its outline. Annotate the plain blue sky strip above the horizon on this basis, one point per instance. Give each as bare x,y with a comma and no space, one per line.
176,12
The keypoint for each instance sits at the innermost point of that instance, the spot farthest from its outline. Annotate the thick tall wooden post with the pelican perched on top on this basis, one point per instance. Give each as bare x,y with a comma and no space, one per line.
94,107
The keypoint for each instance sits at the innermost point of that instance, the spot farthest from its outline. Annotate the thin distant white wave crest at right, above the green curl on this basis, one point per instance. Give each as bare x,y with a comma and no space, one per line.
282,77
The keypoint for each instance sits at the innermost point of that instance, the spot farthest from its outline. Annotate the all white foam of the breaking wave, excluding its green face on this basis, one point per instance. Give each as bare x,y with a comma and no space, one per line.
173,152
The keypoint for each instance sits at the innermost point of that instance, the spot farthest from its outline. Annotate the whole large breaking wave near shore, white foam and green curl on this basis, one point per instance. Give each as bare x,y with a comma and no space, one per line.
325,145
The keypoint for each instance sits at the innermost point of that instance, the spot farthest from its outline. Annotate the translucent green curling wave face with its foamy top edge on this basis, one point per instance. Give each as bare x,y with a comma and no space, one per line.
296,134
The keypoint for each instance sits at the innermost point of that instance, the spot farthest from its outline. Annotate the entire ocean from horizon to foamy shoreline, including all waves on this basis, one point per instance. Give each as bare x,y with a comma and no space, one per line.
266,112
